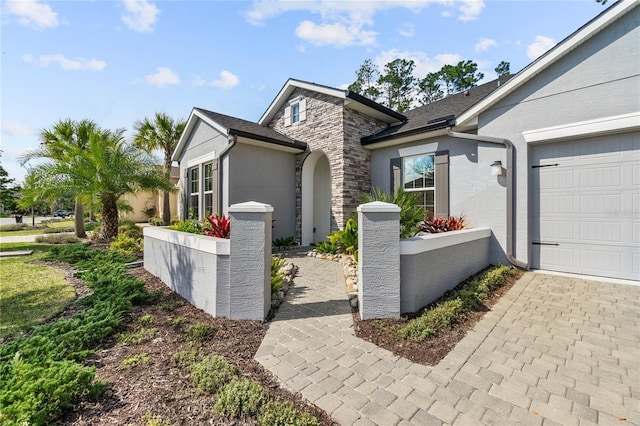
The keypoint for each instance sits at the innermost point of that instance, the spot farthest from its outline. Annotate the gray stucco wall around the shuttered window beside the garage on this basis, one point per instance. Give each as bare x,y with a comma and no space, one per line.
473,191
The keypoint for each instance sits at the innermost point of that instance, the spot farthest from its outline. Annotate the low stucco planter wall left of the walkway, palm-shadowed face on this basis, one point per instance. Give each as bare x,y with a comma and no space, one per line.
194,266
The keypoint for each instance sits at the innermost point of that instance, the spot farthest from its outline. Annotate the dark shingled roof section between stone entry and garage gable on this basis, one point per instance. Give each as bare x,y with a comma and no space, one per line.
438,114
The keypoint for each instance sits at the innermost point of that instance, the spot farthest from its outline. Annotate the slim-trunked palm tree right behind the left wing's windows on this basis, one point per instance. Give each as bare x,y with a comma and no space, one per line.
162,133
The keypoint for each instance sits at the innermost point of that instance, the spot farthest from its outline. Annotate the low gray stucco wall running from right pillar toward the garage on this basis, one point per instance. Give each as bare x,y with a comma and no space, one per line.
430,265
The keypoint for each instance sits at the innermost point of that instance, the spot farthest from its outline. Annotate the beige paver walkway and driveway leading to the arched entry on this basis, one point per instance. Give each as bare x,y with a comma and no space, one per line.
553,351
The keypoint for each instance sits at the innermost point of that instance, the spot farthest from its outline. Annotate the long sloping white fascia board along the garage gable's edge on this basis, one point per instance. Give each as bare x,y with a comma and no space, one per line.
540,64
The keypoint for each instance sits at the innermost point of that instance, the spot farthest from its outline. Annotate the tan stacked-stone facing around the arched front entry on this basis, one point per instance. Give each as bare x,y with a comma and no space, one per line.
336,131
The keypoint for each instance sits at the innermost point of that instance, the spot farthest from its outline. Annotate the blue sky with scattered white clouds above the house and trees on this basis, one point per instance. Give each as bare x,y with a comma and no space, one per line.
116,62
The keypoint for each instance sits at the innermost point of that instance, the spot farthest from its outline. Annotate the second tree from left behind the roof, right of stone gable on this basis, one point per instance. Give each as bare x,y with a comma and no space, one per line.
398,83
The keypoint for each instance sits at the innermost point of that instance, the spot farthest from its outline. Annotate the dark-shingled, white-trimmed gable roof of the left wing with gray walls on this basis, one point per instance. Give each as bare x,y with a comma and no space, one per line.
233,126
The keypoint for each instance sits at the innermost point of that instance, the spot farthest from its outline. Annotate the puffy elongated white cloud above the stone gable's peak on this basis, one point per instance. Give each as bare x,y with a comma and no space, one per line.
336,34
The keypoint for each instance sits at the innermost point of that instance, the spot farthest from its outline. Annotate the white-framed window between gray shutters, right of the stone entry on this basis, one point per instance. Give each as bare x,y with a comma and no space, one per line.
418,176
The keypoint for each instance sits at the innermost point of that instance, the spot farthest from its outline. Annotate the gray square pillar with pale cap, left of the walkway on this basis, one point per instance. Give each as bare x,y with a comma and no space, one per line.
250,261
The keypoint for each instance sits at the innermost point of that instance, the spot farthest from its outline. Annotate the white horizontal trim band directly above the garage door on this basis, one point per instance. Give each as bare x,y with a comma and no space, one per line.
617,123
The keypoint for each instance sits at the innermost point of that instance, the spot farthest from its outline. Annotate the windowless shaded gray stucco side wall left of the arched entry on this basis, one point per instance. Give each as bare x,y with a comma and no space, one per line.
266,176
